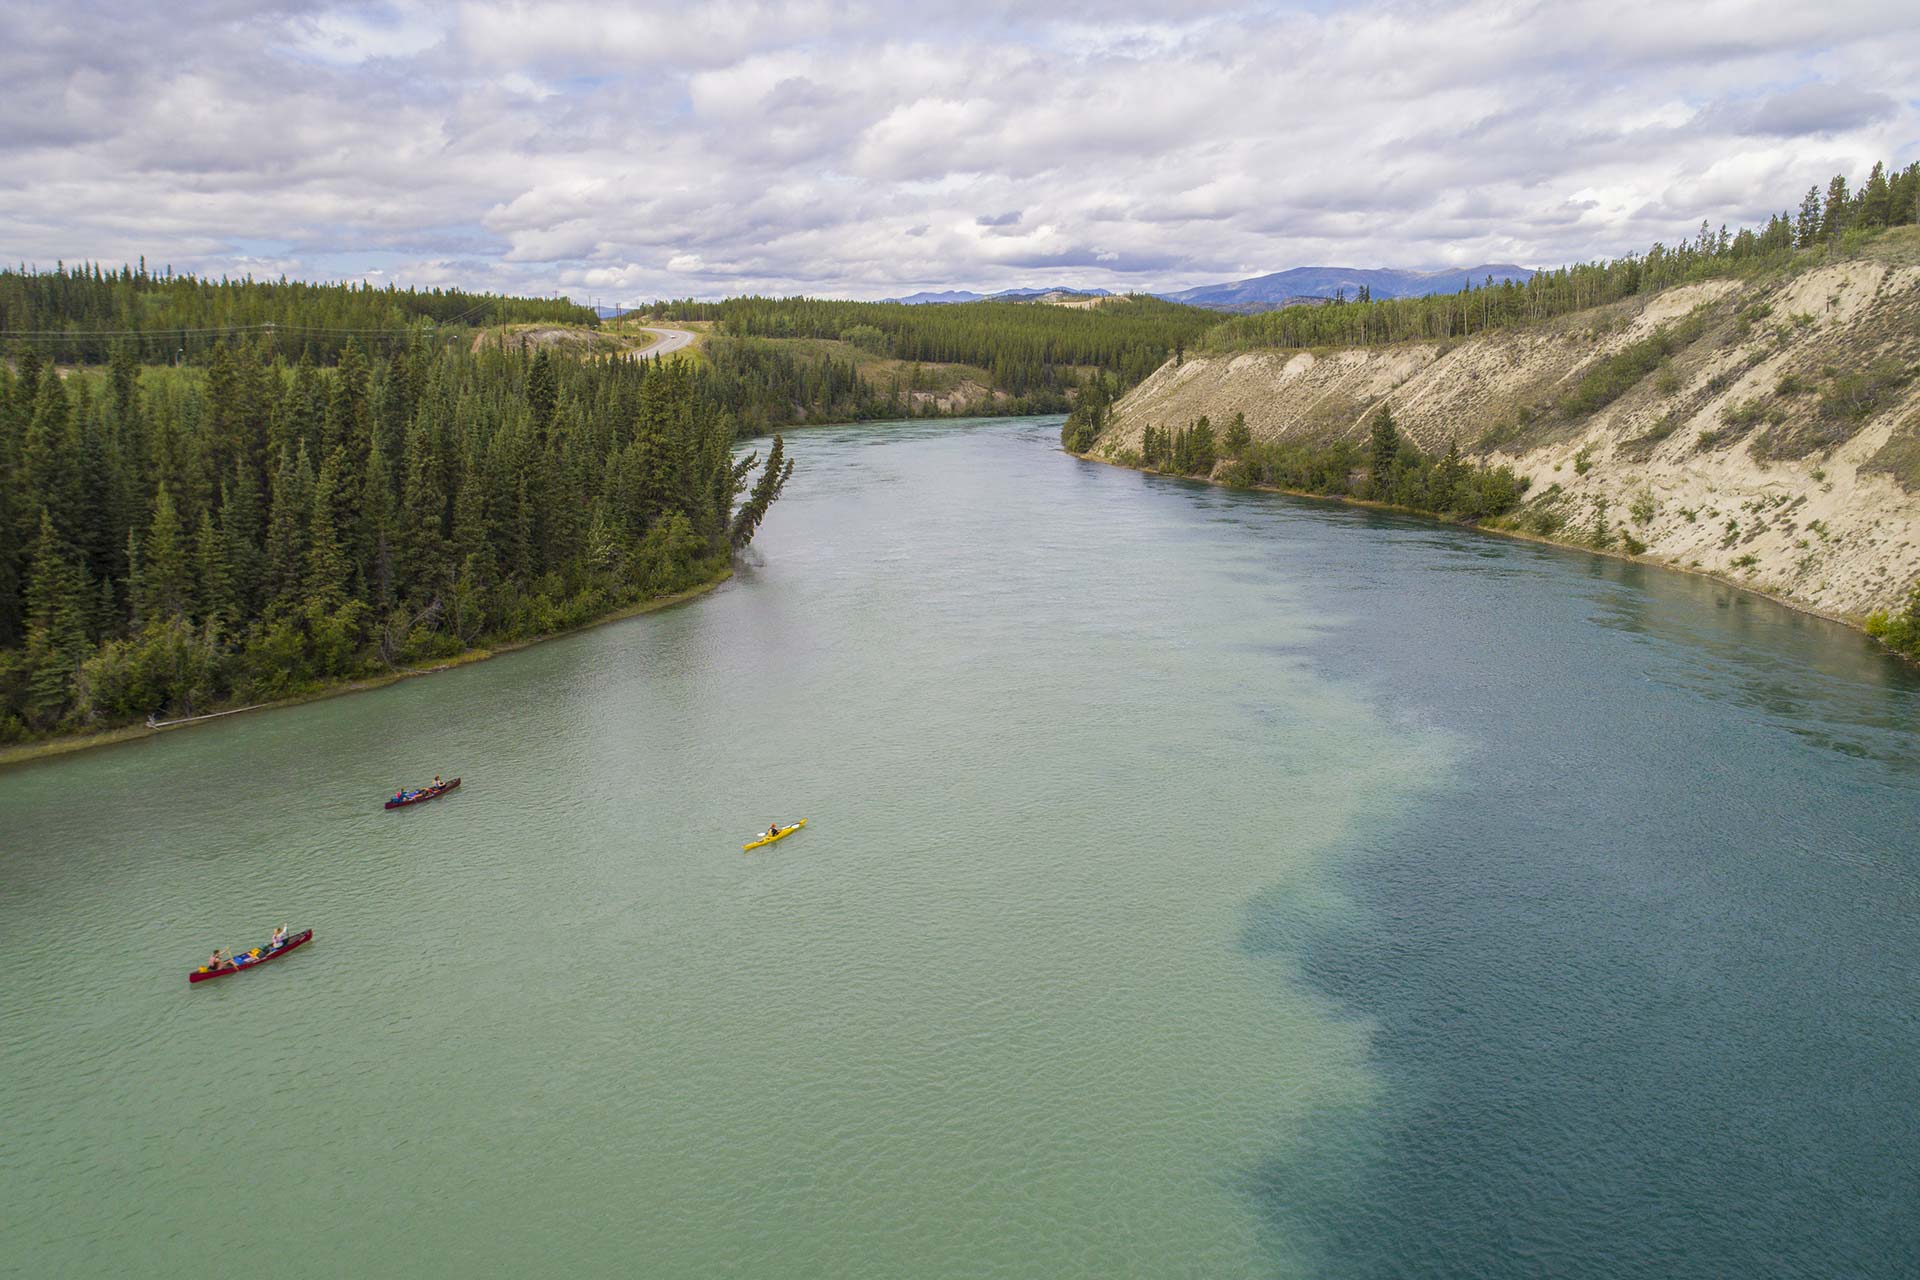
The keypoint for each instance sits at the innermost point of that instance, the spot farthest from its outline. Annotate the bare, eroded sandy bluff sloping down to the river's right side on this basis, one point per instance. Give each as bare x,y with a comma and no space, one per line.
1756,429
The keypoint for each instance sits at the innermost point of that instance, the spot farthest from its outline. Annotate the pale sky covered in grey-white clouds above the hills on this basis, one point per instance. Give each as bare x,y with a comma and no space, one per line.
638,151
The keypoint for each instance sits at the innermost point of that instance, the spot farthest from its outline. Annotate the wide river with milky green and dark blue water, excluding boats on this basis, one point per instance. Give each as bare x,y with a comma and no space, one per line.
1197,884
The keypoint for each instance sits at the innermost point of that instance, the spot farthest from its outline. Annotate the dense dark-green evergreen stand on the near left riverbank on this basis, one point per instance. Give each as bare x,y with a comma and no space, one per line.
256,527
